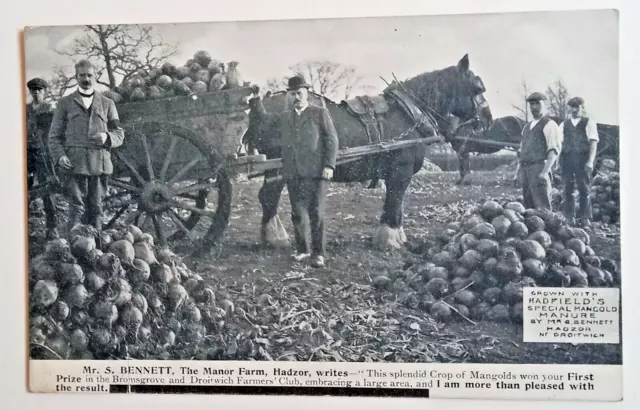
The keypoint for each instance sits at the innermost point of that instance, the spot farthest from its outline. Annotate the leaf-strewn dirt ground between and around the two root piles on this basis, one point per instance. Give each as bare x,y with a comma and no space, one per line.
354,321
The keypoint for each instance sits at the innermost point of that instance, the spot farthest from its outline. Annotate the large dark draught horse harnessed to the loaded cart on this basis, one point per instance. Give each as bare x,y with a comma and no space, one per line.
427,105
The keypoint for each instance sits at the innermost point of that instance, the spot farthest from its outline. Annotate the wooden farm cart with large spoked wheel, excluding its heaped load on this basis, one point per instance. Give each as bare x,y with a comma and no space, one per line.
172,174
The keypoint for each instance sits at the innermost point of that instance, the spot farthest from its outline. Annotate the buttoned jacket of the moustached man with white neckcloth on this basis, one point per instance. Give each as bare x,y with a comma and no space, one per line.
72,126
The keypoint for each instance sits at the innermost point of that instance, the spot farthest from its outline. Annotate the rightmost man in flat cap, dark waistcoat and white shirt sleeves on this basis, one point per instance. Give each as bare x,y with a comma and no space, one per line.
580,141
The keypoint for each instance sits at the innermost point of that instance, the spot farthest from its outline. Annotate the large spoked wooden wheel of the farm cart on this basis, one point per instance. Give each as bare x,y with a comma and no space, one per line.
169,181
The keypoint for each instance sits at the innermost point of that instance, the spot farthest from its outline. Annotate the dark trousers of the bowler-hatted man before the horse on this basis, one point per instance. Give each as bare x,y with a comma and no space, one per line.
307,198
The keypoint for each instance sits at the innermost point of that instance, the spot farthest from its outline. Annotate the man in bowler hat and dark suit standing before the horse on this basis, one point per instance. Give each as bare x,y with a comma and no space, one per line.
309,148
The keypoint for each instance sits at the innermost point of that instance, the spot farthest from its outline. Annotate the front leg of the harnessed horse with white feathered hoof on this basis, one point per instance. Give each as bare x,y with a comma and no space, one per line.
390,234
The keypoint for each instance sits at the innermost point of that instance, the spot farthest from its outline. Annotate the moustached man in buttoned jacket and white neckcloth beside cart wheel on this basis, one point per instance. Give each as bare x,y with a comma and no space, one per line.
85,129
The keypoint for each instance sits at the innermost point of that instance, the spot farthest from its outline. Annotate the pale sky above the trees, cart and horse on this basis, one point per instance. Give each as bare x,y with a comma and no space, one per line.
580,48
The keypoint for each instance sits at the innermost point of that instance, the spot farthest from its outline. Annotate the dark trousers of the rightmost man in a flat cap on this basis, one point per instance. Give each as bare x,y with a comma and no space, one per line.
574,175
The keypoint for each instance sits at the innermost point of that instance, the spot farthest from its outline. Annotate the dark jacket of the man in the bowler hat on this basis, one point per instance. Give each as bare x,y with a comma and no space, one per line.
309,142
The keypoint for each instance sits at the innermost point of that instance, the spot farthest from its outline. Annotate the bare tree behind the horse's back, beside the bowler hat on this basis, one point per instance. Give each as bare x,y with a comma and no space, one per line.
329,78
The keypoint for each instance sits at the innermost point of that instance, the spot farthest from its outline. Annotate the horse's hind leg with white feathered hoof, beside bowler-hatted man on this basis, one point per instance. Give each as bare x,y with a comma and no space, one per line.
272,231
